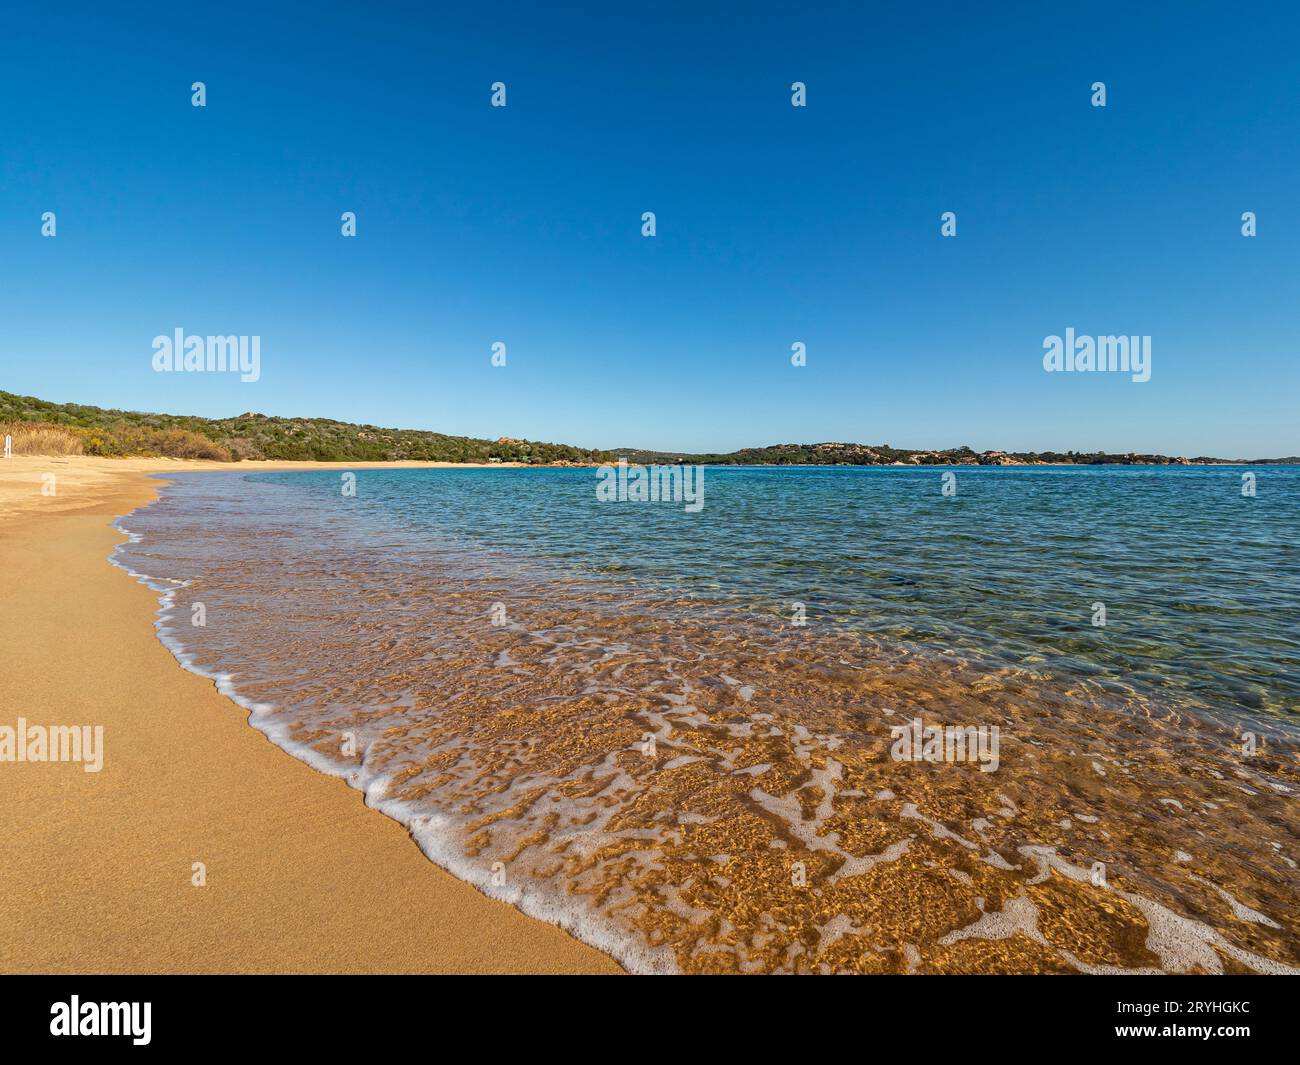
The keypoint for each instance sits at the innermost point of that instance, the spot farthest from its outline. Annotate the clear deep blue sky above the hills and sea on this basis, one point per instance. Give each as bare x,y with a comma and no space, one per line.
775,224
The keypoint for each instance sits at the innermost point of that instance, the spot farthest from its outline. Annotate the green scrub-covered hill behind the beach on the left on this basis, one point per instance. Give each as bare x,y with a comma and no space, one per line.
254,436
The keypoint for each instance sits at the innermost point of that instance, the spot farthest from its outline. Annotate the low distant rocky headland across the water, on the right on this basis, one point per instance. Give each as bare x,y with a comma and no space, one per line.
882,454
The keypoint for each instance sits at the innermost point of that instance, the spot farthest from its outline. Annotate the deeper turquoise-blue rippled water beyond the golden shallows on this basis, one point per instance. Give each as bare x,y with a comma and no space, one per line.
1201,585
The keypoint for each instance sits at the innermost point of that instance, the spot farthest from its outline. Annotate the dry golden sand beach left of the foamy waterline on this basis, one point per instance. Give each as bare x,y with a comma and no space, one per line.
96,868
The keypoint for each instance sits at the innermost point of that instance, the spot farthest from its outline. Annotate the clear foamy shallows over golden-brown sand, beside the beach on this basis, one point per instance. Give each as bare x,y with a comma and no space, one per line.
699,789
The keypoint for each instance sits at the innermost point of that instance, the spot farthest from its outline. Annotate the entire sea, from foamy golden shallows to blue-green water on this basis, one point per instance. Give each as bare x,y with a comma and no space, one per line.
671,731
